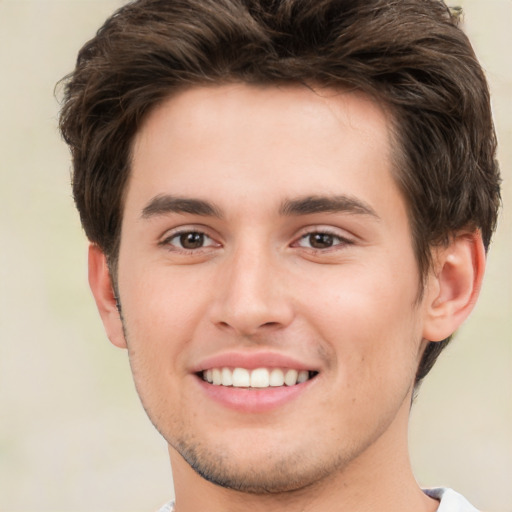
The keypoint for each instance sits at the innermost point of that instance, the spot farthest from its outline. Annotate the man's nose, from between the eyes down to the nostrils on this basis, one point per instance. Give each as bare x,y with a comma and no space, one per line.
252,295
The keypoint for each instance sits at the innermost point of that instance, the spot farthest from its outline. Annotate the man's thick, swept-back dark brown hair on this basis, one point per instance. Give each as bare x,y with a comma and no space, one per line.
408,54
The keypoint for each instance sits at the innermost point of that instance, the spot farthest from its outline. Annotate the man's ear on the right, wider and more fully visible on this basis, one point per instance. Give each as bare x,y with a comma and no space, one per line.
453,285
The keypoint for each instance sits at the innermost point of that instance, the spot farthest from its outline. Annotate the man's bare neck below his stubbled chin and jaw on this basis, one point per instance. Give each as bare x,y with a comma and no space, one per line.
379,479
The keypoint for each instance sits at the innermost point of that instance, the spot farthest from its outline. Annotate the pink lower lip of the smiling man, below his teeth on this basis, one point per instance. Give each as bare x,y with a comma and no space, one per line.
253,400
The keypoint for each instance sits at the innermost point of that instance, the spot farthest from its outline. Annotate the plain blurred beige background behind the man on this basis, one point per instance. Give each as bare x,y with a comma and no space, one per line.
73,436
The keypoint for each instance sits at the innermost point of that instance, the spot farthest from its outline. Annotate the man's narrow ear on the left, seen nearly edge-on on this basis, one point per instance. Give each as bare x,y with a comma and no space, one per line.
101,287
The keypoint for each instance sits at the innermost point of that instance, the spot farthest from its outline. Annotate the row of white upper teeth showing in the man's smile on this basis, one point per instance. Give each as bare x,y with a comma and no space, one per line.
258,378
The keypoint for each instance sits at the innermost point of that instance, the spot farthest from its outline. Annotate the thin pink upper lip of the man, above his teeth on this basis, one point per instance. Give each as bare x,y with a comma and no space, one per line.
251,361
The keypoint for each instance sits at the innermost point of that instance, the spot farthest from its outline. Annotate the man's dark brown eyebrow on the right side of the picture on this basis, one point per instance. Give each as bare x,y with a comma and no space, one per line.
327,204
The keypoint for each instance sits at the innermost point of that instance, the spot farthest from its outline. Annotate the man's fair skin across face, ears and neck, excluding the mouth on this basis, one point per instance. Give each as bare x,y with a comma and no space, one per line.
260,284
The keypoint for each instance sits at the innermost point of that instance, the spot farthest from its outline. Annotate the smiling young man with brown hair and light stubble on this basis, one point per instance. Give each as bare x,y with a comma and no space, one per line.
288,204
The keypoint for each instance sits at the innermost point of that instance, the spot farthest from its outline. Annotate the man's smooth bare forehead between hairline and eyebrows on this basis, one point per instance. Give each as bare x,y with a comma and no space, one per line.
287,140
